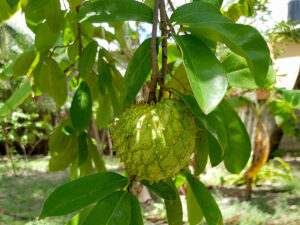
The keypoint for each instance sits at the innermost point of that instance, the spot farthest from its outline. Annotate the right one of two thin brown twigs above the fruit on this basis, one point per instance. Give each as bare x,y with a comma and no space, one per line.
163,24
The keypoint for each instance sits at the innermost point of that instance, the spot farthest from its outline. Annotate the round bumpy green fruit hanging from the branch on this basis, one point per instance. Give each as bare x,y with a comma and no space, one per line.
155,141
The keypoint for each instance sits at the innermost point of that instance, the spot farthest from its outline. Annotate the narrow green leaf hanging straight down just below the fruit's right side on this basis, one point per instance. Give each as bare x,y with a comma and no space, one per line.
174,207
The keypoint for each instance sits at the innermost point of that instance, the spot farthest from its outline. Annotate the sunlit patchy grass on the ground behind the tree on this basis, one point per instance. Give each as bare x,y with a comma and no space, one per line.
22,197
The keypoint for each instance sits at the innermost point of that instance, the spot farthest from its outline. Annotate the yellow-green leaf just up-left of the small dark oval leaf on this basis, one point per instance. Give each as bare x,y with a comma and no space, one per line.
52,81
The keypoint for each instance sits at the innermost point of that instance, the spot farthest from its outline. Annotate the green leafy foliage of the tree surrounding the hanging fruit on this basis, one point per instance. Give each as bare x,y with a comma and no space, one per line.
68,56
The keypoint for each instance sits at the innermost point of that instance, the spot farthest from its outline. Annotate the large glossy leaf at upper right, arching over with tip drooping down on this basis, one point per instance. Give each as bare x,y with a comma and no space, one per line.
206,21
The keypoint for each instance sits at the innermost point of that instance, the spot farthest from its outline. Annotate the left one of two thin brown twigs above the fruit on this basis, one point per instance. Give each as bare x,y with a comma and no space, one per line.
154,76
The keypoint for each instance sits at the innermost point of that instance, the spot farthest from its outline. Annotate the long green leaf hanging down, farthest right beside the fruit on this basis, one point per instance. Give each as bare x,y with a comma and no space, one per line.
238,149
